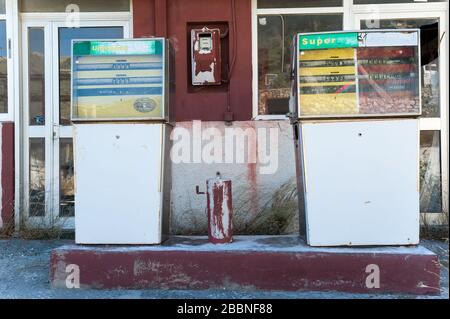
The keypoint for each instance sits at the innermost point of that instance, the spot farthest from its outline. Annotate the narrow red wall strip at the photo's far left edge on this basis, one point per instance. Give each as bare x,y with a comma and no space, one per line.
7,176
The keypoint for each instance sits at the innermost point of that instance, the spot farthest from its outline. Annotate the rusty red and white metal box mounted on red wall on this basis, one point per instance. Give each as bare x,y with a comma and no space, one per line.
206,56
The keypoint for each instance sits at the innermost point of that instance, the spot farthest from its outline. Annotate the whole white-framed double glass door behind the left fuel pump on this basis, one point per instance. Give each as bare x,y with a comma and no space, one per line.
48,147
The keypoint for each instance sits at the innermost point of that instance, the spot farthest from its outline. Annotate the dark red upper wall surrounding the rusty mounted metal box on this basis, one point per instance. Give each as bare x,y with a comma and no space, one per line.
170,18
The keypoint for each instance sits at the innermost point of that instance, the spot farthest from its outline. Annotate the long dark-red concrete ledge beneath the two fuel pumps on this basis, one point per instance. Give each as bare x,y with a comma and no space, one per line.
250,262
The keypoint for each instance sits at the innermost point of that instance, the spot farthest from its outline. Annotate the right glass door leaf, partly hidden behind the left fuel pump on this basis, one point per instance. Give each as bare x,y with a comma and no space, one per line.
63,169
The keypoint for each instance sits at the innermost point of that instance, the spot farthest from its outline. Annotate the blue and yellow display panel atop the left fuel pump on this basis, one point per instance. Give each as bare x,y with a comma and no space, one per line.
118,80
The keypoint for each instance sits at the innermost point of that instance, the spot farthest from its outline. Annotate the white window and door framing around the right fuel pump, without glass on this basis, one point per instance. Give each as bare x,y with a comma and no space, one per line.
351,14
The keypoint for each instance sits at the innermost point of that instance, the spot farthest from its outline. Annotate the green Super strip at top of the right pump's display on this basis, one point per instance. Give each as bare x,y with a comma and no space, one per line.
328,41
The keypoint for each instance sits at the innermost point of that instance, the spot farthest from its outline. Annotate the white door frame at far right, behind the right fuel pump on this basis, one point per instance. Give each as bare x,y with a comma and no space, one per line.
413,11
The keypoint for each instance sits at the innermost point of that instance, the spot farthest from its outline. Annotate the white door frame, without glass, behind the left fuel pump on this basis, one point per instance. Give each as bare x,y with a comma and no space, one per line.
51,23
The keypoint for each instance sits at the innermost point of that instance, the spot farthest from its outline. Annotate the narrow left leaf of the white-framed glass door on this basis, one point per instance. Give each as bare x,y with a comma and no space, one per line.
37,122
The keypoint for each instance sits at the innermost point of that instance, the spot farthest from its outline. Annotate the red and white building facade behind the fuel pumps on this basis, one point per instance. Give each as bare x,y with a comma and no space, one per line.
36,158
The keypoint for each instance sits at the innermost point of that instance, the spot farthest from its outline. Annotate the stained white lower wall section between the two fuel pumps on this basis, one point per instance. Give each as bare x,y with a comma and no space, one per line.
253,187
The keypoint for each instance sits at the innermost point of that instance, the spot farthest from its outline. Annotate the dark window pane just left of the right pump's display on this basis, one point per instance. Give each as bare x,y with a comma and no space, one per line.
275,34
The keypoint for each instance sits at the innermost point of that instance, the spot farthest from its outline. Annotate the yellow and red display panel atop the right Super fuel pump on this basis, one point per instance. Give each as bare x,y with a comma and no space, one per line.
358,74
